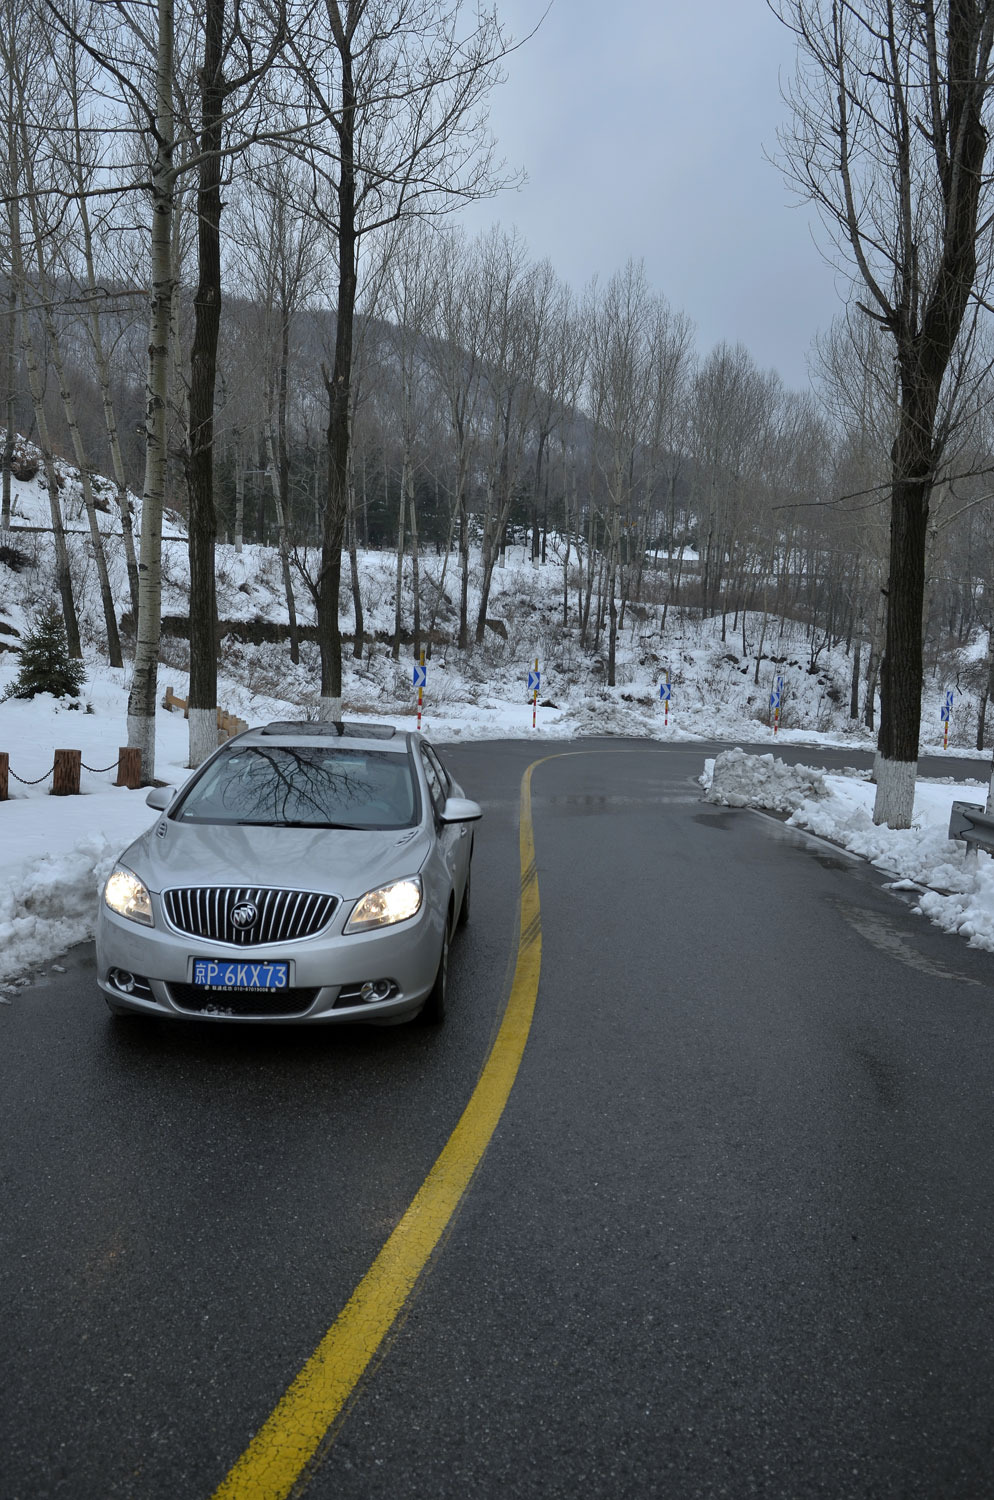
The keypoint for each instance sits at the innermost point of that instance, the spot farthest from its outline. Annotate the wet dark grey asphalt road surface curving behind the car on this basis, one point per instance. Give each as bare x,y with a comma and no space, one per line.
732,1237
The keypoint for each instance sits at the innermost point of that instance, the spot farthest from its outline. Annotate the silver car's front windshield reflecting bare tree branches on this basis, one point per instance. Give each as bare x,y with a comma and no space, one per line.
305,787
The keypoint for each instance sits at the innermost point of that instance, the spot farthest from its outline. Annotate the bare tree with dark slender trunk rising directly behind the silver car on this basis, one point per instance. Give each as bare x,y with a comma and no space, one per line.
401,89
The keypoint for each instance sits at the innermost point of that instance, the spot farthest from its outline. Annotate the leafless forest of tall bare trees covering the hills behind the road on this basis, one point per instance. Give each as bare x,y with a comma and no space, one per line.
235,283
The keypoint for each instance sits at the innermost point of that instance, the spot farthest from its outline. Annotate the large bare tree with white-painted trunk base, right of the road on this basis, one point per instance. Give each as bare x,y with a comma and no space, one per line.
891,110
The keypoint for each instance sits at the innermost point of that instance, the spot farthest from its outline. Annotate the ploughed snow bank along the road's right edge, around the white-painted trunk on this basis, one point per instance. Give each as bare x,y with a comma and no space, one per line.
957,892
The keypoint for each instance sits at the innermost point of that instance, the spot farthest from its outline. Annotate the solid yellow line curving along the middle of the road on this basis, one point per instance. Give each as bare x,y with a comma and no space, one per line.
293,1433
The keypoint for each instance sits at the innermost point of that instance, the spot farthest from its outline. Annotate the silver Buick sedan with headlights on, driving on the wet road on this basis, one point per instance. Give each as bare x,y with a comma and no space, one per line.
307,872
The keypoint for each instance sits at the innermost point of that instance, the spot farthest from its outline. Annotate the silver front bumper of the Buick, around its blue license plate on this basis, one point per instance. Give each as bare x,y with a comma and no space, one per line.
326,973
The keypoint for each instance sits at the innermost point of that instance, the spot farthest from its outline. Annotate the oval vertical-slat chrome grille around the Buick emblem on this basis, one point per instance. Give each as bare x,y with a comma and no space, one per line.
206,911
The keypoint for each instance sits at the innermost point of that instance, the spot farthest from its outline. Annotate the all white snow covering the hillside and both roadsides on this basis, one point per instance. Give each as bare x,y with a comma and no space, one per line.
56,851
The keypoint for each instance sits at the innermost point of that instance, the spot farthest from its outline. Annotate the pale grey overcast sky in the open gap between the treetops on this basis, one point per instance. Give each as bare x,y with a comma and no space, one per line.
642,128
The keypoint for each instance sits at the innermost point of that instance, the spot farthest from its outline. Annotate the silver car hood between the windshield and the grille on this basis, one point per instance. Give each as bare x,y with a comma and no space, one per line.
337,860
